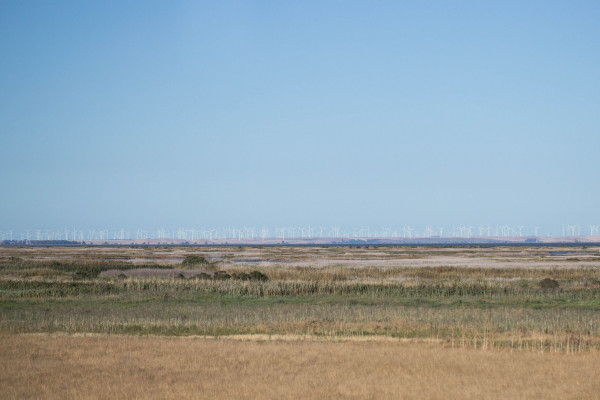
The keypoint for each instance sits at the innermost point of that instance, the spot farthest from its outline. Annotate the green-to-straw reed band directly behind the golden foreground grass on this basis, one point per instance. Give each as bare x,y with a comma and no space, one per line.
551,328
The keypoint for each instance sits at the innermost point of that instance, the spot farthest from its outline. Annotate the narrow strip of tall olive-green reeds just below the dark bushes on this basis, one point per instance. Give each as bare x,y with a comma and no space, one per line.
414,288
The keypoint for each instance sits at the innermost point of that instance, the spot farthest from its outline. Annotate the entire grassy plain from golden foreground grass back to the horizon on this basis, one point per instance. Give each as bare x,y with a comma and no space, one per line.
405,317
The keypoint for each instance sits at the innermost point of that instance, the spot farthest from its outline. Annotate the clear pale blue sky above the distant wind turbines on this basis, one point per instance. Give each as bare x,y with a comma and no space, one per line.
166,114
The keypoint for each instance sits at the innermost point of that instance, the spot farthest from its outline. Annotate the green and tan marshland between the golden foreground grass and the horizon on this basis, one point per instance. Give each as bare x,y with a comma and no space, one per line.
522,301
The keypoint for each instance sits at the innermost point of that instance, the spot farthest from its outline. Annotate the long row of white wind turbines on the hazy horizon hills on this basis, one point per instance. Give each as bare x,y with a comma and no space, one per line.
568,232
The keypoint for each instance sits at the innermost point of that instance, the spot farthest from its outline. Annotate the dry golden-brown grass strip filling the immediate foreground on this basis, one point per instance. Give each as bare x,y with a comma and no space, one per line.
76,367
